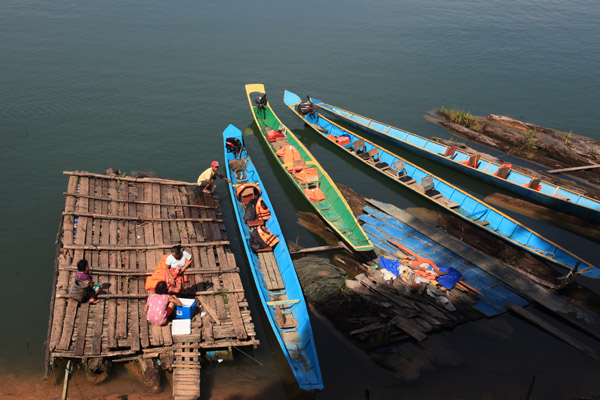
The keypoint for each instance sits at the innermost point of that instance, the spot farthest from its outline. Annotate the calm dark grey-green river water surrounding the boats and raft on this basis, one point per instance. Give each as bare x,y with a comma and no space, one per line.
150,85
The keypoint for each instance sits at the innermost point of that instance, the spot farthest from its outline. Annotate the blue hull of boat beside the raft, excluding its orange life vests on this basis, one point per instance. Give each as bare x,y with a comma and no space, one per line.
275,278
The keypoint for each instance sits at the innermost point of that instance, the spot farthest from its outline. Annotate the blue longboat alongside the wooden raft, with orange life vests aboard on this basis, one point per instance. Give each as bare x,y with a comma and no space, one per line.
272,268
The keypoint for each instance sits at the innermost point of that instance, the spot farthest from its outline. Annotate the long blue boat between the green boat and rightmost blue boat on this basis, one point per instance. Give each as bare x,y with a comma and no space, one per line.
441,192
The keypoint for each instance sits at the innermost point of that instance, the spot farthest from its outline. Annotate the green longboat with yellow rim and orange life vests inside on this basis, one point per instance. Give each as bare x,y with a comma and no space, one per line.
305,172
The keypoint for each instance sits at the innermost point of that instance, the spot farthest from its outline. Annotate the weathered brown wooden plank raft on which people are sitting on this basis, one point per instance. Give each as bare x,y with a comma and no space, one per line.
123,226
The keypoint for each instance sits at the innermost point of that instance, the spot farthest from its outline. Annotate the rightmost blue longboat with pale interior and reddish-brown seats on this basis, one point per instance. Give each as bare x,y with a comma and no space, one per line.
502,175
